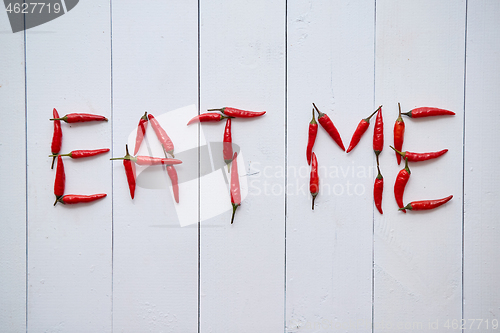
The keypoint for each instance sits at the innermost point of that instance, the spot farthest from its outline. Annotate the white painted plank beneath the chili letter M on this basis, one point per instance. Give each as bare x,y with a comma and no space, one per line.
329,250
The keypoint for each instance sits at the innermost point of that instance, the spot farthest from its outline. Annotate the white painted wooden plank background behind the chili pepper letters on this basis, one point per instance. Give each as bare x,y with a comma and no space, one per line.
122,265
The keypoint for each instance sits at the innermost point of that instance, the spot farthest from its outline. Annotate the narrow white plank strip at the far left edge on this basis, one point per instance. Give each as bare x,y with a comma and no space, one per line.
12,181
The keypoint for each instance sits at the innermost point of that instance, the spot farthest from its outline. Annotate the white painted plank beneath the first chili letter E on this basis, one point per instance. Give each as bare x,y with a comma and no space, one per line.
69,247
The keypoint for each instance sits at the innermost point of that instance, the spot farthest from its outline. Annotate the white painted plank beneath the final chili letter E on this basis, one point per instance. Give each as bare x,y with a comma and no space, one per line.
420,49
